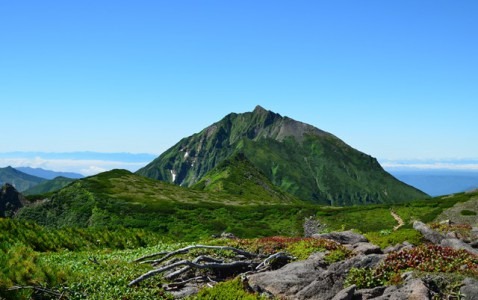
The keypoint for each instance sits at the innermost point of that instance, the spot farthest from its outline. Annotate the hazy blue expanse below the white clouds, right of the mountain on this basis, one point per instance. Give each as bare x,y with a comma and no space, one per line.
439,182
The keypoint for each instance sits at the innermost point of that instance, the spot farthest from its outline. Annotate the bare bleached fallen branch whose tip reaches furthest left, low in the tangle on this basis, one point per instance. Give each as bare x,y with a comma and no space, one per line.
211,265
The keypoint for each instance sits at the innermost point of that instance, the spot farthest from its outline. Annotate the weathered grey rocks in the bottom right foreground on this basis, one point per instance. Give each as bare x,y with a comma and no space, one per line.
315,279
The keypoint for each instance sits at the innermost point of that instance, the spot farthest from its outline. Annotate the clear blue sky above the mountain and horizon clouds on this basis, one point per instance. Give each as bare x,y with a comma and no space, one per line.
395,79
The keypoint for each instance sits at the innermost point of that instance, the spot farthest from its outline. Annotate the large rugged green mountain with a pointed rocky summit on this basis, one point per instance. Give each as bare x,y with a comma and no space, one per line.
300,159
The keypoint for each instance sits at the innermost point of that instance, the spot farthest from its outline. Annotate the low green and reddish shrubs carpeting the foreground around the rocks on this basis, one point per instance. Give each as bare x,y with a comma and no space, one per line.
94,262
